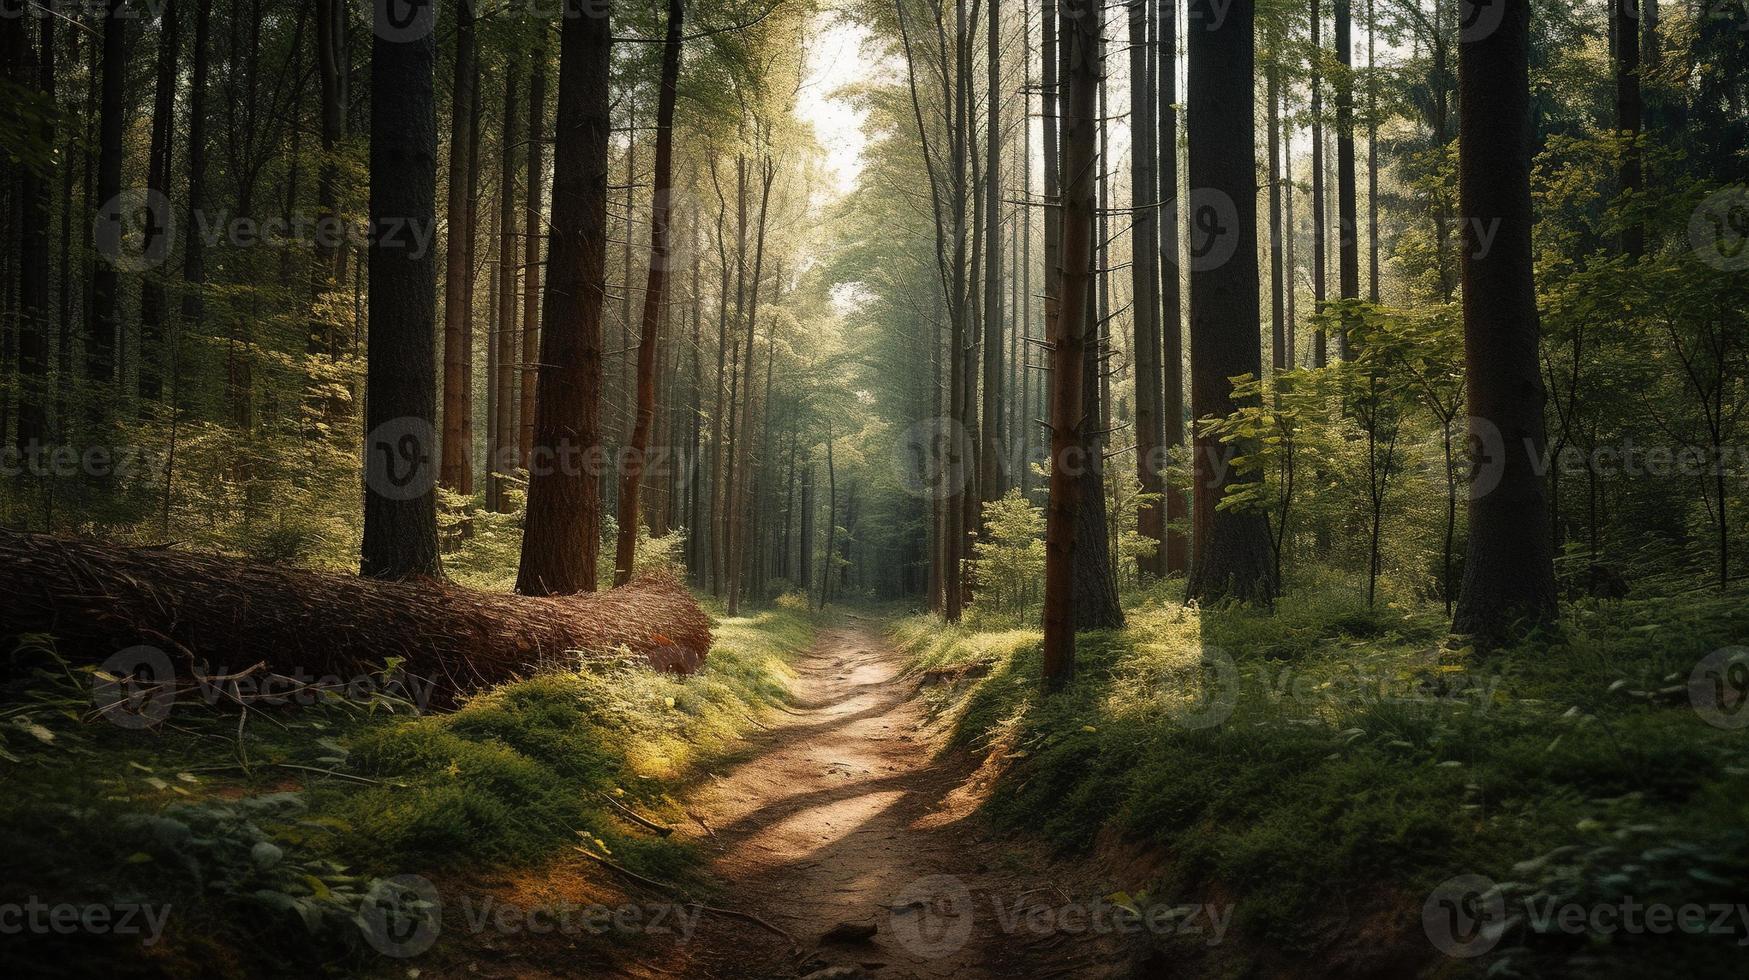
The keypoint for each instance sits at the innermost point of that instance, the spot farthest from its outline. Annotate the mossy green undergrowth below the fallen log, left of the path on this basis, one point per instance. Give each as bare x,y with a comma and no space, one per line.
265,834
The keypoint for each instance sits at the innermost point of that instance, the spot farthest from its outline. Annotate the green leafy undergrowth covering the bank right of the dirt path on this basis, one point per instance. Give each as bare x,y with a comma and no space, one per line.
1330,766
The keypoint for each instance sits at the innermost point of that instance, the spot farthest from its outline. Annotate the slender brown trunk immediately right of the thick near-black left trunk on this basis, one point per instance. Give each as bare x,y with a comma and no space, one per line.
457,351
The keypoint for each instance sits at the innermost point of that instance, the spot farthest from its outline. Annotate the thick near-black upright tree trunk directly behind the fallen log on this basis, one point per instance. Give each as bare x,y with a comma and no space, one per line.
401,393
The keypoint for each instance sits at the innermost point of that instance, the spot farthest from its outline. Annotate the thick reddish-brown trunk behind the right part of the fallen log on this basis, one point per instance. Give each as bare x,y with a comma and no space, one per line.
562,536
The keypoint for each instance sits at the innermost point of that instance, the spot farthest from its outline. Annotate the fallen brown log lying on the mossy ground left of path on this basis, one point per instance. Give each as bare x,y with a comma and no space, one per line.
219,615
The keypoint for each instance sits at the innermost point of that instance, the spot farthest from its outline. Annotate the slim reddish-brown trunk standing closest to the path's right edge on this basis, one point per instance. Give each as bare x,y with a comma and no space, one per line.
1070,419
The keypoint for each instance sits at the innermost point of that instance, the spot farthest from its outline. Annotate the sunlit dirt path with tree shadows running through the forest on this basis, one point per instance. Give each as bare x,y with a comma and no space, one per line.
846,813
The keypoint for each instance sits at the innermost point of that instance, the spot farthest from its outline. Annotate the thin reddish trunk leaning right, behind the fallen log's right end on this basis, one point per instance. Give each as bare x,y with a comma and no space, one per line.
632,479
